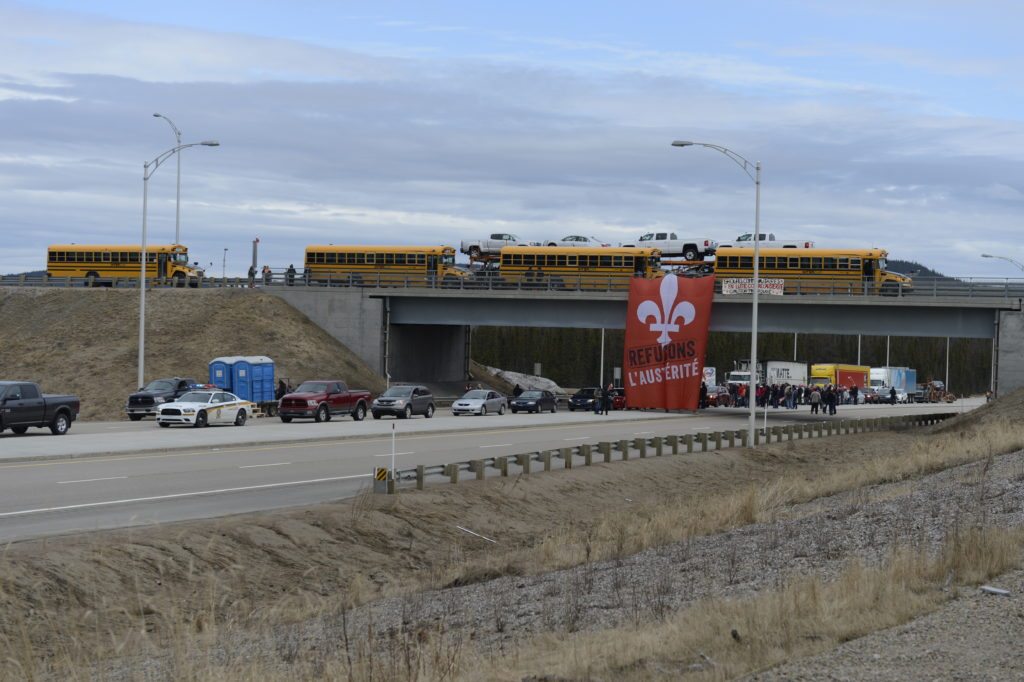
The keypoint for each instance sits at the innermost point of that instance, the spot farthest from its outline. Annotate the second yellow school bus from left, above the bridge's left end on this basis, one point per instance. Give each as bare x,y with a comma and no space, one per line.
382,266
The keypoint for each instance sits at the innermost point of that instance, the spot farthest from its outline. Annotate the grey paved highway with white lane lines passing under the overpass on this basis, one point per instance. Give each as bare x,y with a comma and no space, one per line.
163,476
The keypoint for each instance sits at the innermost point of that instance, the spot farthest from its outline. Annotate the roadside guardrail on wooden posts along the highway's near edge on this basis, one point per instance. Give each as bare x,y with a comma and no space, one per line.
626,450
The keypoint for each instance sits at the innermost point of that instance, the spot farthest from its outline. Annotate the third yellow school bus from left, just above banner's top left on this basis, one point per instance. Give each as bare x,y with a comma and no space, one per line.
586,268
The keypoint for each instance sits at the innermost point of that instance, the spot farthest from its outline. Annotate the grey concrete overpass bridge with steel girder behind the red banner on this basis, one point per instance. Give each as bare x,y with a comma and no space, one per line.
423,333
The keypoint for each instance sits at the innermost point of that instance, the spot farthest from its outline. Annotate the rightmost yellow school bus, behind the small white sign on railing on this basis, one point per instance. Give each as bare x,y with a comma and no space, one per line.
816,271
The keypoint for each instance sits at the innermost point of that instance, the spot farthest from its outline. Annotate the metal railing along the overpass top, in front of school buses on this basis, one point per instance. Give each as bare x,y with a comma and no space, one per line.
988,288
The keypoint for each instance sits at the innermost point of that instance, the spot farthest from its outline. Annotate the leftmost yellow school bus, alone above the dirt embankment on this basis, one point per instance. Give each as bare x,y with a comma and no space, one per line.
105,263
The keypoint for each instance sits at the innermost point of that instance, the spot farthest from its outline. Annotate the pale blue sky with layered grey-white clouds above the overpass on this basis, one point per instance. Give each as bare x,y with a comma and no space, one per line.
898,125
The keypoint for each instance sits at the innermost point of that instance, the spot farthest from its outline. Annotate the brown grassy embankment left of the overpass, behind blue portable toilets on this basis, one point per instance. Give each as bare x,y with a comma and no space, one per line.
84,342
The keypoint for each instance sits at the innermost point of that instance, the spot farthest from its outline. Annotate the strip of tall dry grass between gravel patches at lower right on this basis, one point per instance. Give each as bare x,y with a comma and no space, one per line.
721,640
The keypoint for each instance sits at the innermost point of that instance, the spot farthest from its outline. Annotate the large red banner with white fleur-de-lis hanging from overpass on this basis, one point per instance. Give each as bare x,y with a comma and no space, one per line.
666,340
